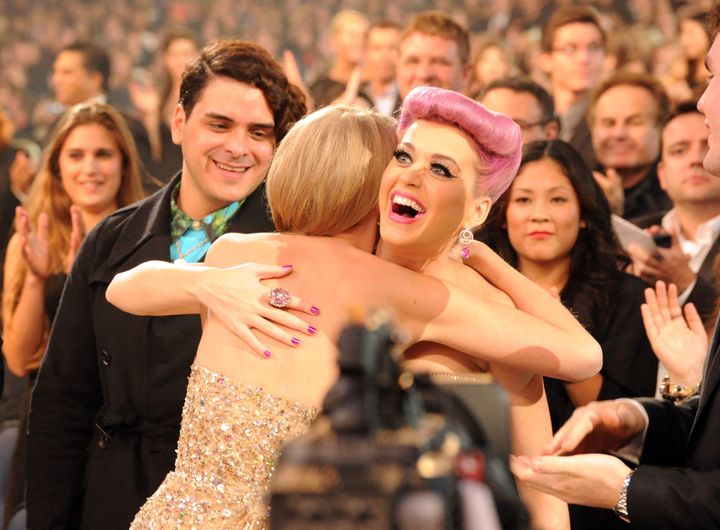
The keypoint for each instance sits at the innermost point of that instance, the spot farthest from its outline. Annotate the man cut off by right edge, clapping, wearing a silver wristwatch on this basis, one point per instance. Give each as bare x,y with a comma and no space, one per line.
677,484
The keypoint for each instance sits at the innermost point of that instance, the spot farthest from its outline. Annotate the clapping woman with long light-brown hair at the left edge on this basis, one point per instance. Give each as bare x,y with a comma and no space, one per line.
89,170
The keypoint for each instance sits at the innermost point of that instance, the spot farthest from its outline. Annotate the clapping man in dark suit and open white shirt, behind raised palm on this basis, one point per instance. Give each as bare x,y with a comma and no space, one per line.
694,220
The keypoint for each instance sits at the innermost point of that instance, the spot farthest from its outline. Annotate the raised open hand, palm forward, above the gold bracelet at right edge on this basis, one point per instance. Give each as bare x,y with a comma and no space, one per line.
679,343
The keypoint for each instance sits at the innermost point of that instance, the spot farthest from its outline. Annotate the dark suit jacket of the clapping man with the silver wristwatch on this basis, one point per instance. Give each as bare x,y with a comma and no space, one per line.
679,488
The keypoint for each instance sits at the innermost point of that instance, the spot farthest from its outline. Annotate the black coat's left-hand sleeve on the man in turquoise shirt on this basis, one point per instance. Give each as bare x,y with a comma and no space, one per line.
65,401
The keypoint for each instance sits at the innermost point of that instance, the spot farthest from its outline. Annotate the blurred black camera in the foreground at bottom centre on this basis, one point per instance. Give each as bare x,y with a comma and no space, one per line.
377,459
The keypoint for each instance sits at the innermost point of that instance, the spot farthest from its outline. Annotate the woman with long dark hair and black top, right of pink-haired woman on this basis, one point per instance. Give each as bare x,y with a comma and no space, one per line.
553,224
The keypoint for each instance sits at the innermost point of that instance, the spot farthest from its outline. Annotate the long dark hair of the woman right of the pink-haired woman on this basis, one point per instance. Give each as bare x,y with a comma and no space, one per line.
596,260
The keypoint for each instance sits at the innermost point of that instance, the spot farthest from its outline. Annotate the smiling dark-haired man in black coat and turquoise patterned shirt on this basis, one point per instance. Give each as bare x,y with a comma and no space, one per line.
106,410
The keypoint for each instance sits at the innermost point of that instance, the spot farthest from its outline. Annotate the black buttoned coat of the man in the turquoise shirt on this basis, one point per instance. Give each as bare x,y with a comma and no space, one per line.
106,409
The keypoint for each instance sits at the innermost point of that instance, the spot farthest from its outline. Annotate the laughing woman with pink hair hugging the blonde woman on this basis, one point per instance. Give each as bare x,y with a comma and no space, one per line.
454,159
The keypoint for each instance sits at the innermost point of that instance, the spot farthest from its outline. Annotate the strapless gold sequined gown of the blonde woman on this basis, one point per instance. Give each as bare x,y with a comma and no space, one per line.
230,438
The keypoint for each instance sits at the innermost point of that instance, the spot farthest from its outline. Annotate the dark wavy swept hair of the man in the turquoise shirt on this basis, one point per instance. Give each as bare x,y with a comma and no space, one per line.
248,63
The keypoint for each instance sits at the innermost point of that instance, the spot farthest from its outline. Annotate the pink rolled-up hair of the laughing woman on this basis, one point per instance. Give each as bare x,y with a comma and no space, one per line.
496,138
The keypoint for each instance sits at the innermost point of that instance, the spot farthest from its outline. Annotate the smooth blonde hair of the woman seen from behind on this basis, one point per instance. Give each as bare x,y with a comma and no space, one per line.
325,175
